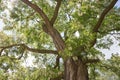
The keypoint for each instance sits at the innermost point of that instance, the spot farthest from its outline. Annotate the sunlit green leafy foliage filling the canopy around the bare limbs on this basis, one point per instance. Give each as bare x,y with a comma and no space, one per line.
75,23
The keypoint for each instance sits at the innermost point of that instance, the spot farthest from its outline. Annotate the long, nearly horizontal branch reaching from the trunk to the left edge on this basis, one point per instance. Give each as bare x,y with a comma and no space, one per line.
29,49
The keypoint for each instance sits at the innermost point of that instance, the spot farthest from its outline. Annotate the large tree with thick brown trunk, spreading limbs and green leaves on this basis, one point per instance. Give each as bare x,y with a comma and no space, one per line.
71,30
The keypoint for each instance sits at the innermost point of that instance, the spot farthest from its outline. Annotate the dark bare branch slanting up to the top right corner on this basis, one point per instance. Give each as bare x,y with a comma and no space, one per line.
102,16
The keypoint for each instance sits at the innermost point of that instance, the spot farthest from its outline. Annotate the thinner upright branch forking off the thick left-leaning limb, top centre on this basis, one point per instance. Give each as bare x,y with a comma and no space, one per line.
56,12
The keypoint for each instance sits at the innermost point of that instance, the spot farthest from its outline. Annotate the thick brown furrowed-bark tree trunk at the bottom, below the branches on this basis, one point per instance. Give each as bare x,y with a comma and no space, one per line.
75,70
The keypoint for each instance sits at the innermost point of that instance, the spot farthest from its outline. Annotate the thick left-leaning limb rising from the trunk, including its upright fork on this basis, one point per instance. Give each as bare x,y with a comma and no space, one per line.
48,28
